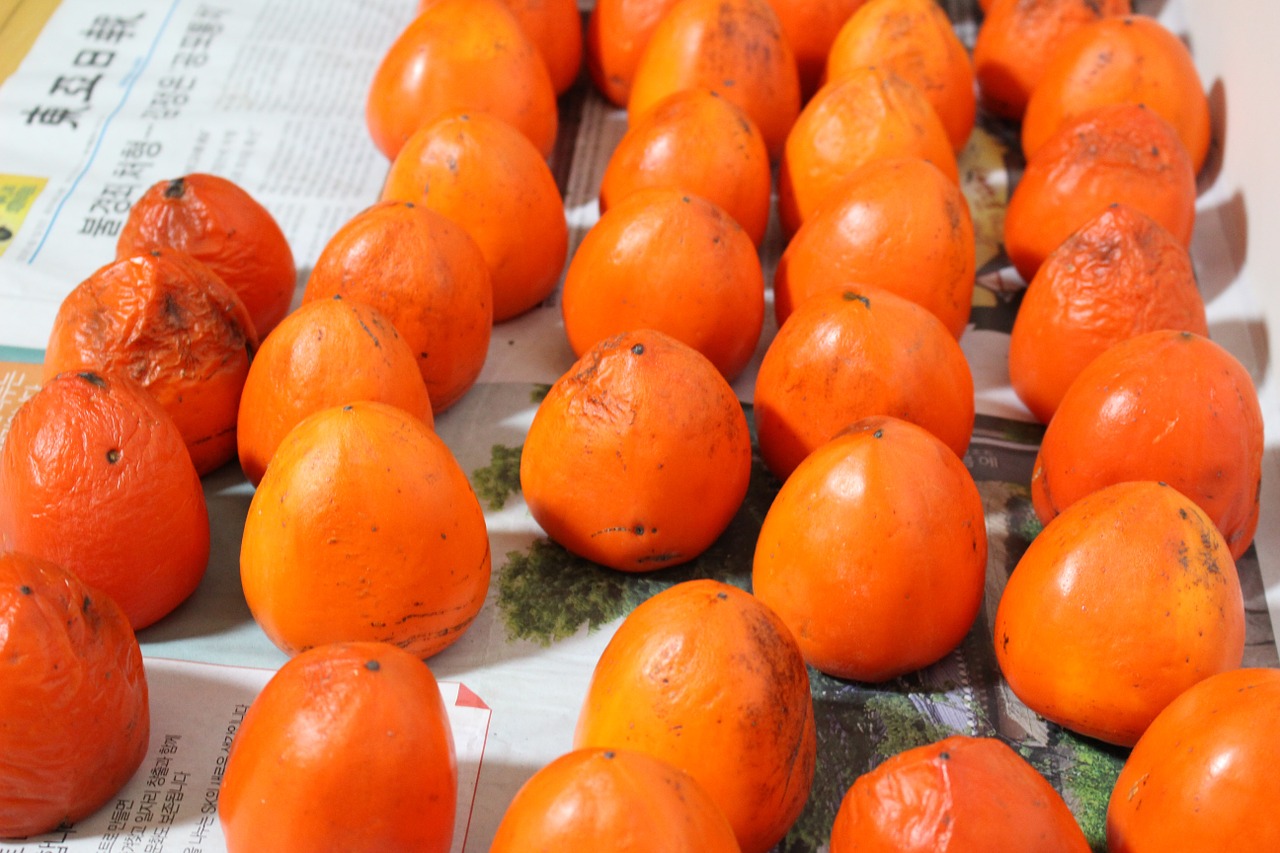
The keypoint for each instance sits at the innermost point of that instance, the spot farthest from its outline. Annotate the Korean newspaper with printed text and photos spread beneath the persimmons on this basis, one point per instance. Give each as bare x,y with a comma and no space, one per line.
249,113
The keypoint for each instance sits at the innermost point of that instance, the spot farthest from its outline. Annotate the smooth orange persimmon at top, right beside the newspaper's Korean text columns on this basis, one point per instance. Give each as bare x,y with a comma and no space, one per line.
459,57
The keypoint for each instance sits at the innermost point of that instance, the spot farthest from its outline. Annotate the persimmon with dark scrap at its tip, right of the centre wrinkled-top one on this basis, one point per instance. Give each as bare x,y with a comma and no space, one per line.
852,354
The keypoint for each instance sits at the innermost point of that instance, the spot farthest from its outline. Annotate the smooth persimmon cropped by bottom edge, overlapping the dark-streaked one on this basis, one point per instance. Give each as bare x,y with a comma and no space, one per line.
614,800
